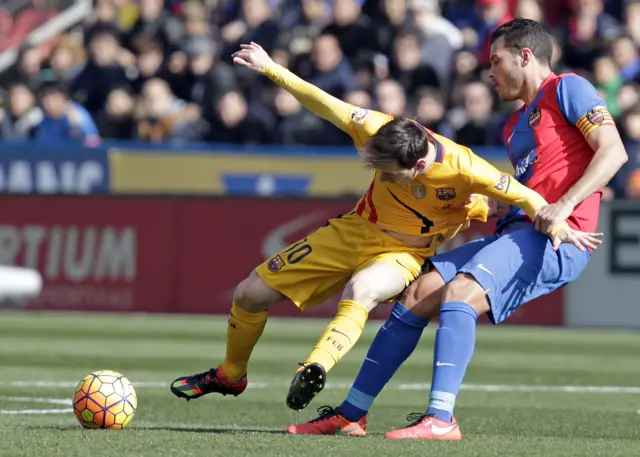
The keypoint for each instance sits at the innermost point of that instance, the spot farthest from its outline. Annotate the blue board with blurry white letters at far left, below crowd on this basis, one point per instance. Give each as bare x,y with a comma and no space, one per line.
53,170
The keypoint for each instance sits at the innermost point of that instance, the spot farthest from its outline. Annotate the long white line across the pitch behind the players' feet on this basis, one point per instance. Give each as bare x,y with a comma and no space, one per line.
404,386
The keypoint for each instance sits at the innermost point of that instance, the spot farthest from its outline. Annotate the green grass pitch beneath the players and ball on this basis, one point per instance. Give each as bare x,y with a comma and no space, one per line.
43,355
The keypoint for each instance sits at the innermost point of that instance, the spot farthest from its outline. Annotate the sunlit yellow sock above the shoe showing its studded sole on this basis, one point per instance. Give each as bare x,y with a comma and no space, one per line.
341,334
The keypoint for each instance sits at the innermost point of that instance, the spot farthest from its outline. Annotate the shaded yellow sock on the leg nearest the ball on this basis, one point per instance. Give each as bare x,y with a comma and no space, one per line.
243,333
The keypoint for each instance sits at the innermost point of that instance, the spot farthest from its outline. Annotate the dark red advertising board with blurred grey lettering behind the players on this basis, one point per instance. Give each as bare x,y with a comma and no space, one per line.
171,255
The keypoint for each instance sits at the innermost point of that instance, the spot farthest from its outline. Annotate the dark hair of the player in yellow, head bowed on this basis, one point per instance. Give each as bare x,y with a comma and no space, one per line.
401,141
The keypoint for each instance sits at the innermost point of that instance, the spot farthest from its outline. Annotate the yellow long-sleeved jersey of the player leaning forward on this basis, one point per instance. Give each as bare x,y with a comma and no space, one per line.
435,204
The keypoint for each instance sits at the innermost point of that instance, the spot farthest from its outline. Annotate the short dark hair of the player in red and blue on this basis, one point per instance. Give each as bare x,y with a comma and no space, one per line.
525,33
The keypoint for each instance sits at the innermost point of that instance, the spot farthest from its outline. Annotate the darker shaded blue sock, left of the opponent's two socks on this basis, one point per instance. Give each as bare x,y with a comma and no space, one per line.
395,341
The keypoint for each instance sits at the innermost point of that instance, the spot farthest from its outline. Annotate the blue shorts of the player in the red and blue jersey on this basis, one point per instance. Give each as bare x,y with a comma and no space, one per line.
517,264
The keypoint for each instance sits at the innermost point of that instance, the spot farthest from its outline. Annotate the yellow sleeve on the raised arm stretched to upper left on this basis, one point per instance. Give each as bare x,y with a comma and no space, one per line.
359,123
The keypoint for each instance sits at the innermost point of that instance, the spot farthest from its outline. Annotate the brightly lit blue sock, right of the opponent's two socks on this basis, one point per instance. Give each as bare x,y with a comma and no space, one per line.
455,340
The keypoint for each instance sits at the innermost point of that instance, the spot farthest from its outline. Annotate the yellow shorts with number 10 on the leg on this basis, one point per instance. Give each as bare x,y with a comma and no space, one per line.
318,266
